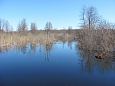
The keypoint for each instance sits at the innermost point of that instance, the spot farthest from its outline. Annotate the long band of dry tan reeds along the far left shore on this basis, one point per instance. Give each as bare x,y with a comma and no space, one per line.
20,38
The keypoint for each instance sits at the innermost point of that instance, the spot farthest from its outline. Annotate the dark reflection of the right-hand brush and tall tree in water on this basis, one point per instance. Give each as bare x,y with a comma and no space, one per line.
89,62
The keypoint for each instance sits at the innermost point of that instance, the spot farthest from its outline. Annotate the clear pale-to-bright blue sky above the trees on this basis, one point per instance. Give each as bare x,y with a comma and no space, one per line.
62,13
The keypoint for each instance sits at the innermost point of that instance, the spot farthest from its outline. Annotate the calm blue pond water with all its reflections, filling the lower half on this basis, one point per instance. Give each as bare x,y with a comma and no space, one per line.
59,64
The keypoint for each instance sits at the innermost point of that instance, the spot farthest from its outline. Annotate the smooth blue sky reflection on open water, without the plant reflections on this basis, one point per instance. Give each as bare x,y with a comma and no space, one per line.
63,67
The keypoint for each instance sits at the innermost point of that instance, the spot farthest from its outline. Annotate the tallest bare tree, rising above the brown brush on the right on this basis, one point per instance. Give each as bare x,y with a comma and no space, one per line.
90,17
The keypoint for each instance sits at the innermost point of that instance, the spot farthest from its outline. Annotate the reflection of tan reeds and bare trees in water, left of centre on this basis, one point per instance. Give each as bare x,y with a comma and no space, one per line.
29,48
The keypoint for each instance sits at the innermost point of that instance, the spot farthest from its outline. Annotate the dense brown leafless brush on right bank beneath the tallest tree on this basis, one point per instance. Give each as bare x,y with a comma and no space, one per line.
97,39
